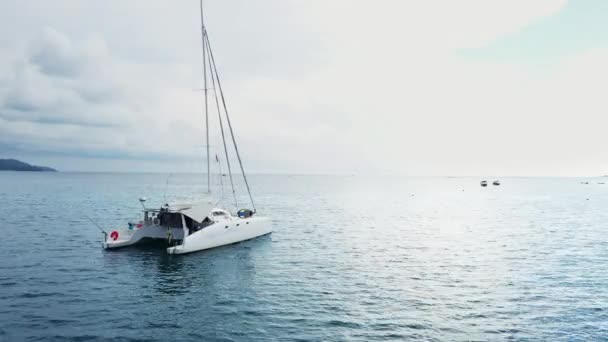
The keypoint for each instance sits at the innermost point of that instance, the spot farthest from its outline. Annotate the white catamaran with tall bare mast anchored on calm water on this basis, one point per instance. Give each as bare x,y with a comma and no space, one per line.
198,226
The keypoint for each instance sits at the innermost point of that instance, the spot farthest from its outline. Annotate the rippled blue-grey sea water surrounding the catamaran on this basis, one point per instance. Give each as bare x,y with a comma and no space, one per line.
351,259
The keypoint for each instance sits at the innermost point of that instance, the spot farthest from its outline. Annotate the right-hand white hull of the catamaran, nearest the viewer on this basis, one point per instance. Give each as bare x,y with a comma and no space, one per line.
222,233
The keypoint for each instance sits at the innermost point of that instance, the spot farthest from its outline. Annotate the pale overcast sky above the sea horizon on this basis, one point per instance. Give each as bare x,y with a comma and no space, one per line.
388,87
